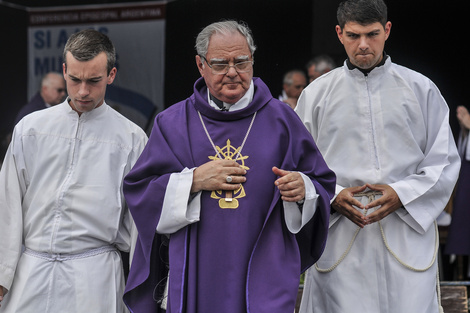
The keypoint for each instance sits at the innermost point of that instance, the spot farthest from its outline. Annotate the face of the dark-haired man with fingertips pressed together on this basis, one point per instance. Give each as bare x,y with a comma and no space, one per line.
364,44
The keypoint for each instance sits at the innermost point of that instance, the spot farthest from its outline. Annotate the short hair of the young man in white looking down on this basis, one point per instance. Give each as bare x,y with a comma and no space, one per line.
87,44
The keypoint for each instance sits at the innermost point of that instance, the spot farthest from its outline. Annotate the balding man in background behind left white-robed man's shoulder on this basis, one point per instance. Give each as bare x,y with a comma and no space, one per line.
51,92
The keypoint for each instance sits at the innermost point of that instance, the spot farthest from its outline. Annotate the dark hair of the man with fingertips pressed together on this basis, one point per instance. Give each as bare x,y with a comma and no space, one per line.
364,12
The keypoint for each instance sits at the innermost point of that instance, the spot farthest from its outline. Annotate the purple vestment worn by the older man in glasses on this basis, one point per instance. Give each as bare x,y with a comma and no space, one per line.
233,260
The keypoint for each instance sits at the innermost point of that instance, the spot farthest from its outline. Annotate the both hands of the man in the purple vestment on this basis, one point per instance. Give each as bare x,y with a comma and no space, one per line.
213,176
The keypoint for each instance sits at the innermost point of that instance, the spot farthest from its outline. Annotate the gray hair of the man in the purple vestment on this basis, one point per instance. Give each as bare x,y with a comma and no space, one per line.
224,27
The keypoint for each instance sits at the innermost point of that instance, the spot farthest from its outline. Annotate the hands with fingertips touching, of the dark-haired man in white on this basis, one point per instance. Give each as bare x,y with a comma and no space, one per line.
344,204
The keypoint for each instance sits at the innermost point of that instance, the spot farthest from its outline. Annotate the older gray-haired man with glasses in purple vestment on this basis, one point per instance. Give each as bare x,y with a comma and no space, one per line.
233,180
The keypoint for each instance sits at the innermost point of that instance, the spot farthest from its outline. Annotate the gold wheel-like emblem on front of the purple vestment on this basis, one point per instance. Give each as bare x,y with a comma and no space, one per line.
228,199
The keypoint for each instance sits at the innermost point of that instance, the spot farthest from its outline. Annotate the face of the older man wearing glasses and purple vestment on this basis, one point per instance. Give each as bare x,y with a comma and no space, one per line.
230,49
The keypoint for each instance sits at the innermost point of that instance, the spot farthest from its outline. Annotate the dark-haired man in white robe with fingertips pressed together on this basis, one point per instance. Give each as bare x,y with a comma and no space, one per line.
383,129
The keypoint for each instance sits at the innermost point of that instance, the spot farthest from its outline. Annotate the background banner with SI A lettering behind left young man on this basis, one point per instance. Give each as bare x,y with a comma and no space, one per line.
138,33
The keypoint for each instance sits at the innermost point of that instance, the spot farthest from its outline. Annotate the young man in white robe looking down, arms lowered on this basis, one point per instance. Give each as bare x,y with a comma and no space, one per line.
61,194
